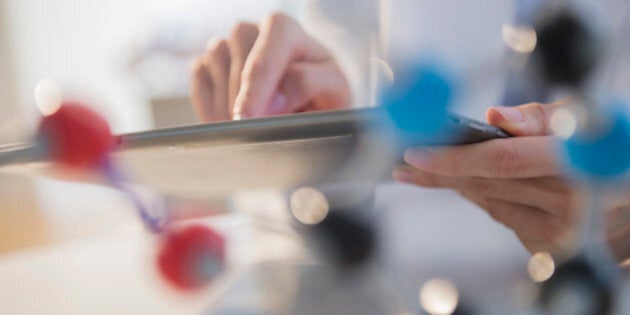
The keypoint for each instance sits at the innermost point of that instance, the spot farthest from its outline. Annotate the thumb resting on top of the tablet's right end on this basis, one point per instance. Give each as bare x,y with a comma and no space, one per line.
531,119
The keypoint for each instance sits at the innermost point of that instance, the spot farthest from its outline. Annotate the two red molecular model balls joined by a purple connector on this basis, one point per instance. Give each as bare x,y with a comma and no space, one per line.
78,137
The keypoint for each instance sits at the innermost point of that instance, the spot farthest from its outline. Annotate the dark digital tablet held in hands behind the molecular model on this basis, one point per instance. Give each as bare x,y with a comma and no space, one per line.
210,161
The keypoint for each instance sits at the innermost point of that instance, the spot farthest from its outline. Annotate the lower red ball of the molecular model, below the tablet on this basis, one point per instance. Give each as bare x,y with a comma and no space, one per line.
190,257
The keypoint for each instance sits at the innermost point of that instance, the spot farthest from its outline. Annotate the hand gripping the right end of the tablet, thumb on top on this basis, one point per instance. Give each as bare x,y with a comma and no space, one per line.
516,181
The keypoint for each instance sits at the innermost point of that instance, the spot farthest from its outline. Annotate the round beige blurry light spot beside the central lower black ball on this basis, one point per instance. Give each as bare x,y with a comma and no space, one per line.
309,205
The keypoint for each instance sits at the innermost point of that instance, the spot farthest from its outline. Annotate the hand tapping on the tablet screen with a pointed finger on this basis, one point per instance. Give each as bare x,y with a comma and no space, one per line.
267,69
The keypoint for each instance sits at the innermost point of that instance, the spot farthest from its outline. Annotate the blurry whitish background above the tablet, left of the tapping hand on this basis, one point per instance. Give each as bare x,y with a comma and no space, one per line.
128,58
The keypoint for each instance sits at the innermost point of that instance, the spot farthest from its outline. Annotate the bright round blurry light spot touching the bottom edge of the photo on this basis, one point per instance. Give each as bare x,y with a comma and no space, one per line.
439,297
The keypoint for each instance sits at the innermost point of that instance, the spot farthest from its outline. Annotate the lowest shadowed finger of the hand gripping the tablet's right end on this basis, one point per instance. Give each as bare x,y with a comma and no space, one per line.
527,222
